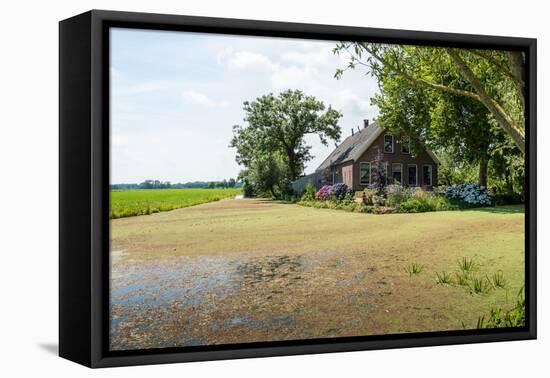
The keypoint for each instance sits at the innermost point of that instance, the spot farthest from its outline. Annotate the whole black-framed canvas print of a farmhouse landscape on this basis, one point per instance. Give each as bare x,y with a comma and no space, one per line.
235,188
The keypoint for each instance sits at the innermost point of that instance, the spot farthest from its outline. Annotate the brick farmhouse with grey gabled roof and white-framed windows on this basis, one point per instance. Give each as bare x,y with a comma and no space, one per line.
355,161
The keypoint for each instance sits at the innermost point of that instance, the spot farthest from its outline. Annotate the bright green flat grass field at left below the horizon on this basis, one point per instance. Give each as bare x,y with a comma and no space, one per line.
129,203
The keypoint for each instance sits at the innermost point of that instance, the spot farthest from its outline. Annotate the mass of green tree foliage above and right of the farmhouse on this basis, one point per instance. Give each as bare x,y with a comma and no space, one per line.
425,94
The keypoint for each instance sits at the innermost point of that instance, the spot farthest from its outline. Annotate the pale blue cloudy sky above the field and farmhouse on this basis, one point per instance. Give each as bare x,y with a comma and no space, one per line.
175,97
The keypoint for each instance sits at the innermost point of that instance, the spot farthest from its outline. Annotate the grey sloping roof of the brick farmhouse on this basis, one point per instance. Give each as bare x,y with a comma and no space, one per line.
354,146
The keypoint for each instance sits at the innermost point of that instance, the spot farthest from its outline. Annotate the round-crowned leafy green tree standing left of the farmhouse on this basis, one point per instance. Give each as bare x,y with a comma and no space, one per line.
277,125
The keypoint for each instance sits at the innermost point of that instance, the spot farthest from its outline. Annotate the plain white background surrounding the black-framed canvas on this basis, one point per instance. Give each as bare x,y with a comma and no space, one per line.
29,186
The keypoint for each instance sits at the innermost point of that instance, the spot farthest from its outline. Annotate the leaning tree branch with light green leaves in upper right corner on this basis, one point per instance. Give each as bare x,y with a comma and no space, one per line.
495,79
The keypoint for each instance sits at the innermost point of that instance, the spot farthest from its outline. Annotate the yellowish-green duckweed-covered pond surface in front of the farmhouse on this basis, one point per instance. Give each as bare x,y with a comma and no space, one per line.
254,270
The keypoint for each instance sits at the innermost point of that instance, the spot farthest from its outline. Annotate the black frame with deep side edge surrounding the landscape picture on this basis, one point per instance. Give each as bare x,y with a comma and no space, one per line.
84,183
